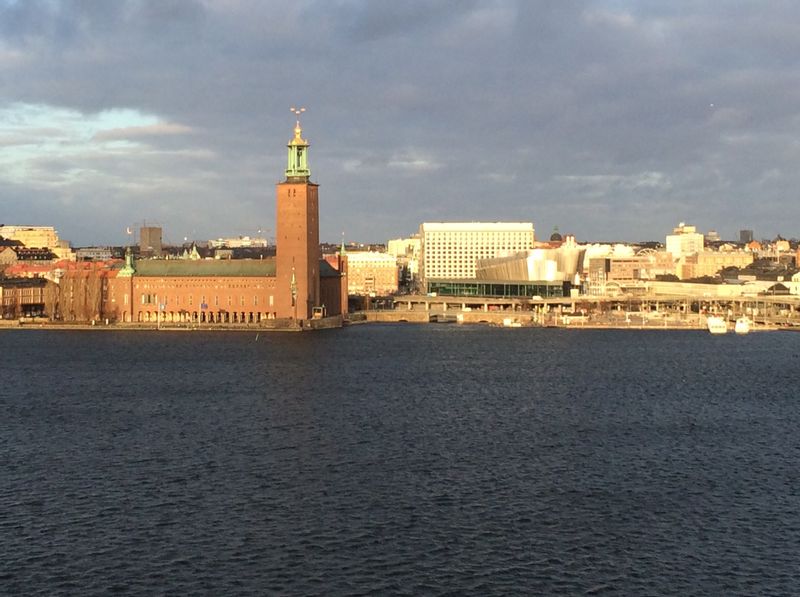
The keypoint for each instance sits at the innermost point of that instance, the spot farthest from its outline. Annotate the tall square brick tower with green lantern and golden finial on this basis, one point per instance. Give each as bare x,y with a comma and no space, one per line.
297,234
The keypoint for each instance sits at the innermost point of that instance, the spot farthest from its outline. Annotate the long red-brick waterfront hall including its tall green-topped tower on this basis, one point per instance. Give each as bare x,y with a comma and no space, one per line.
294,285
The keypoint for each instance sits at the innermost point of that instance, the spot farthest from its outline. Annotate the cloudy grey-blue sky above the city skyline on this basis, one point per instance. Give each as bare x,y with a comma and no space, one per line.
610,119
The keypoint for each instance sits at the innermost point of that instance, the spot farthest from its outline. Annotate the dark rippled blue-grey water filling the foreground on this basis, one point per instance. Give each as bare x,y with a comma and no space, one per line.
411,460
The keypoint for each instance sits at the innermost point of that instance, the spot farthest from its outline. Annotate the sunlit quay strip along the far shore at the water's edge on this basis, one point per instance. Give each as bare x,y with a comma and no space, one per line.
625,312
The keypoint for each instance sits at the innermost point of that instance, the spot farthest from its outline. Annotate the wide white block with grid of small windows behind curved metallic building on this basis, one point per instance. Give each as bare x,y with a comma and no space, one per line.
450,250
